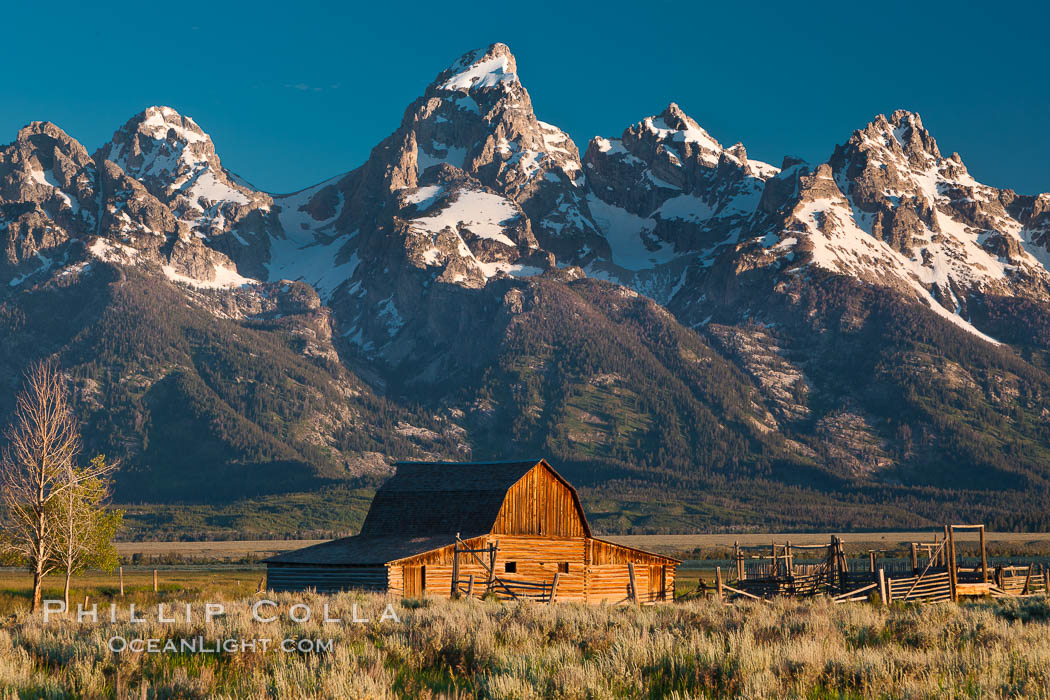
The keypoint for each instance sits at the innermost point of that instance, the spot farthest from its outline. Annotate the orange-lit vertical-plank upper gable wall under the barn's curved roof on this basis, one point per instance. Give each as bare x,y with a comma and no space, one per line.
540,504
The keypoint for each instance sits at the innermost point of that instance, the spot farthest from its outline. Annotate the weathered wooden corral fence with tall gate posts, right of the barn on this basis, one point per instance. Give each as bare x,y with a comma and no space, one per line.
935,574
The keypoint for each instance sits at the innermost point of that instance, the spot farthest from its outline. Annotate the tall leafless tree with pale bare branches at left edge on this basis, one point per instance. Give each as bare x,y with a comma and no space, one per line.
44,442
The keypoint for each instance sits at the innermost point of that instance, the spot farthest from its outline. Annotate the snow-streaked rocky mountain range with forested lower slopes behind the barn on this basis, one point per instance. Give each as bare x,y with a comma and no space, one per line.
699,340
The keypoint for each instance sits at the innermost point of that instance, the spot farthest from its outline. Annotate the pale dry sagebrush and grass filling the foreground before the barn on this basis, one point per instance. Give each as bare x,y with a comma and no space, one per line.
492,650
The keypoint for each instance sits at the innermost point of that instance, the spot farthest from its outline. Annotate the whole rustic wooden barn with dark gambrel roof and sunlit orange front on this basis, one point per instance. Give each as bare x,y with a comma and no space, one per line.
516,529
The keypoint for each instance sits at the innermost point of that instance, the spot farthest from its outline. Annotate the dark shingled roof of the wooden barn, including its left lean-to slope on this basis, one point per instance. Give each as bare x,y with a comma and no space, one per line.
423,507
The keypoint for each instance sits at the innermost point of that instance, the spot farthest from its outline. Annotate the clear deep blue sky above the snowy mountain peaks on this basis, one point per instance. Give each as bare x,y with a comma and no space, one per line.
296,93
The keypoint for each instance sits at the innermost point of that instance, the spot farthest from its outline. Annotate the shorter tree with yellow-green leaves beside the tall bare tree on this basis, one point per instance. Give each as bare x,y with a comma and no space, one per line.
85,527
